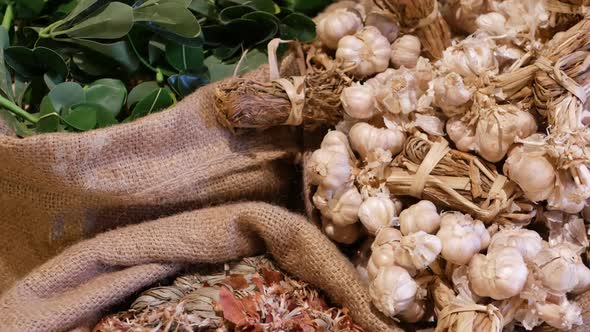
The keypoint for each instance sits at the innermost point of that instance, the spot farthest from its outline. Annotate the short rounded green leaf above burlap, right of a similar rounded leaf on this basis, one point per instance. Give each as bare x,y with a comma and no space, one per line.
108,93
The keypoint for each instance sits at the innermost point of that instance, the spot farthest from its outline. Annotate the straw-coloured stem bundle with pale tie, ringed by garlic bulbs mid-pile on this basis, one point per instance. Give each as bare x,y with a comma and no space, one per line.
458,181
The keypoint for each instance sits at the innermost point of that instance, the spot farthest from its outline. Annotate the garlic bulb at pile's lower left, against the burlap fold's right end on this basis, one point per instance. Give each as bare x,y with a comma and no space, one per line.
393,290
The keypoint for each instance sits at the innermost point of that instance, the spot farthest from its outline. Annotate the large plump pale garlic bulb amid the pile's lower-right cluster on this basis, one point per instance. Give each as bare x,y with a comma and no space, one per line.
499,275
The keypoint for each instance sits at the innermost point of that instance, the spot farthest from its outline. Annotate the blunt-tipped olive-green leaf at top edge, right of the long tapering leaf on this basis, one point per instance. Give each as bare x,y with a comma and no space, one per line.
170,16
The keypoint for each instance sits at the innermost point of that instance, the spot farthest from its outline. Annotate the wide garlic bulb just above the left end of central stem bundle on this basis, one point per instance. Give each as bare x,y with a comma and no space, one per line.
365,139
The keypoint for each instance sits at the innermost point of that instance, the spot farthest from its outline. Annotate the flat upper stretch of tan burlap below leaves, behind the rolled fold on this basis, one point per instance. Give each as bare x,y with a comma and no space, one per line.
58,188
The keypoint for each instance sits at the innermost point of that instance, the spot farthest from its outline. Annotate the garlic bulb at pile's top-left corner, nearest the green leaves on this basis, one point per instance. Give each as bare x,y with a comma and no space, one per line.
337,24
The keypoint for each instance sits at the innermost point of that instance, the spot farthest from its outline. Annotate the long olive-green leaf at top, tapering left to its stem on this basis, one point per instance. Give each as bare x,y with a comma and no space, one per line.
114,21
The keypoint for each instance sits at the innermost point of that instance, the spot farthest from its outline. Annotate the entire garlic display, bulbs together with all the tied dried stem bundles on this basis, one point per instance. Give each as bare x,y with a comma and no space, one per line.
458,150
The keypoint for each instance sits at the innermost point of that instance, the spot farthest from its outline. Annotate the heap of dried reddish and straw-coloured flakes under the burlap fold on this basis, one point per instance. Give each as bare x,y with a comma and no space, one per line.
249,295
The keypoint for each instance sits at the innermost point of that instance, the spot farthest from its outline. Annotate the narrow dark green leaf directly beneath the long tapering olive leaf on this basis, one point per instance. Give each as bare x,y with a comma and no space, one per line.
119,51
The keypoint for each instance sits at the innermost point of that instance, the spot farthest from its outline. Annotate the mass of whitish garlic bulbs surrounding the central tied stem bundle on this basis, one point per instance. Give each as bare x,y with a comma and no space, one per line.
526,276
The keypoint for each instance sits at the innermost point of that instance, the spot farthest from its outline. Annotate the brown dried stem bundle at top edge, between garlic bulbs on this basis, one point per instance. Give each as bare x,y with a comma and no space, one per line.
423,18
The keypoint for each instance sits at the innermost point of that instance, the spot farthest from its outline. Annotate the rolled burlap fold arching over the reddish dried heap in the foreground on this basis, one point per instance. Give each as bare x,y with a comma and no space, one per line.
73,289
